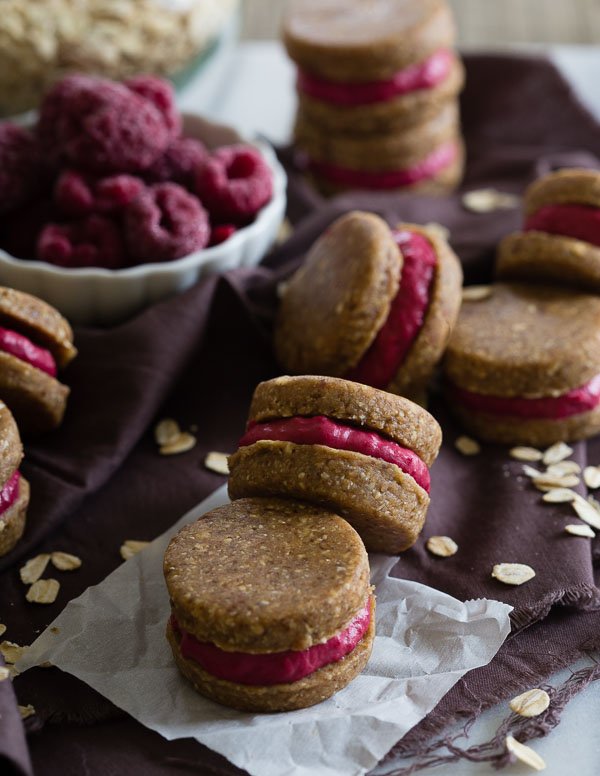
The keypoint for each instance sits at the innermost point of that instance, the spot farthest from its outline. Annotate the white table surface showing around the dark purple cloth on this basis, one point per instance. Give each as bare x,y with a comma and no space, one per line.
251,88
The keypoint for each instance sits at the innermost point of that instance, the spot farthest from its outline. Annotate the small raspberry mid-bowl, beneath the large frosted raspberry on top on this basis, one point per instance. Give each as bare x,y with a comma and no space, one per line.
77,195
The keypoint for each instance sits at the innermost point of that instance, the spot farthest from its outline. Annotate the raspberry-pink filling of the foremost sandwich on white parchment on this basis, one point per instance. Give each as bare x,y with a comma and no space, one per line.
274,667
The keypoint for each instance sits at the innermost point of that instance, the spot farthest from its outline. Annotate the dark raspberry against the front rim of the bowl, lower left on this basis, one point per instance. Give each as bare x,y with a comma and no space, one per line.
94,242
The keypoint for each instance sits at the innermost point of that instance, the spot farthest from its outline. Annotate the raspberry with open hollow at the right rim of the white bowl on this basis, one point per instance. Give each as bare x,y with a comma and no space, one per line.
234,183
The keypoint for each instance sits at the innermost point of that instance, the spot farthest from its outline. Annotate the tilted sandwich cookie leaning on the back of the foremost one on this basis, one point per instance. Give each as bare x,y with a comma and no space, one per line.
344,446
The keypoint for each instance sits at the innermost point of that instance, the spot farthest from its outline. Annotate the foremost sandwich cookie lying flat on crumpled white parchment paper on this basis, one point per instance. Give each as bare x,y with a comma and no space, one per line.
271,604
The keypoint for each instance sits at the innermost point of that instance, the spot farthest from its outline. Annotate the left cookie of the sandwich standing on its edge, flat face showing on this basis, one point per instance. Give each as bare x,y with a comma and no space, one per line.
337,301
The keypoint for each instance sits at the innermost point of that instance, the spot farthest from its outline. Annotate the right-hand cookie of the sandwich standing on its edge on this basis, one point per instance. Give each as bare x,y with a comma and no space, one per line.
428,347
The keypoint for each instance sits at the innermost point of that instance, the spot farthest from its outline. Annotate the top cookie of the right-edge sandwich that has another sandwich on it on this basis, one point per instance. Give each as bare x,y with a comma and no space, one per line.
525,341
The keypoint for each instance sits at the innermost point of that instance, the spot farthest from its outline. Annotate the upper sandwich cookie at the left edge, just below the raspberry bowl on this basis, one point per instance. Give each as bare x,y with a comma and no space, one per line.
35,341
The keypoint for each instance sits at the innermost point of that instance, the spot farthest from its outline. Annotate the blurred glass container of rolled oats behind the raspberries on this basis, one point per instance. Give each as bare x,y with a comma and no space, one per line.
40,42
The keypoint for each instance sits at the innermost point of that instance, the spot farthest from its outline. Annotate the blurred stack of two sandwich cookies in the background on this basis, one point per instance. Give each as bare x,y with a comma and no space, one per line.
377,87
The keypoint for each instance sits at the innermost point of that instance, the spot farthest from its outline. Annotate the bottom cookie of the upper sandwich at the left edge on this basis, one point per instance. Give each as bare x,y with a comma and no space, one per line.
36,399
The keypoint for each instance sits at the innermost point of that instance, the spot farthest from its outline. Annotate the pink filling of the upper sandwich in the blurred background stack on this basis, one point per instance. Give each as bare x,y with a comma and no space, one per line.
425,75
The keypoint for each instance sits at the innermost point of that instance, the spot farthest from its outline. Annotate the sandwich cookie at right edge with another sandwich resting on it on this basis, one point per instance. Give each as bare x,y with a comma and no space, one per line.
523,365
